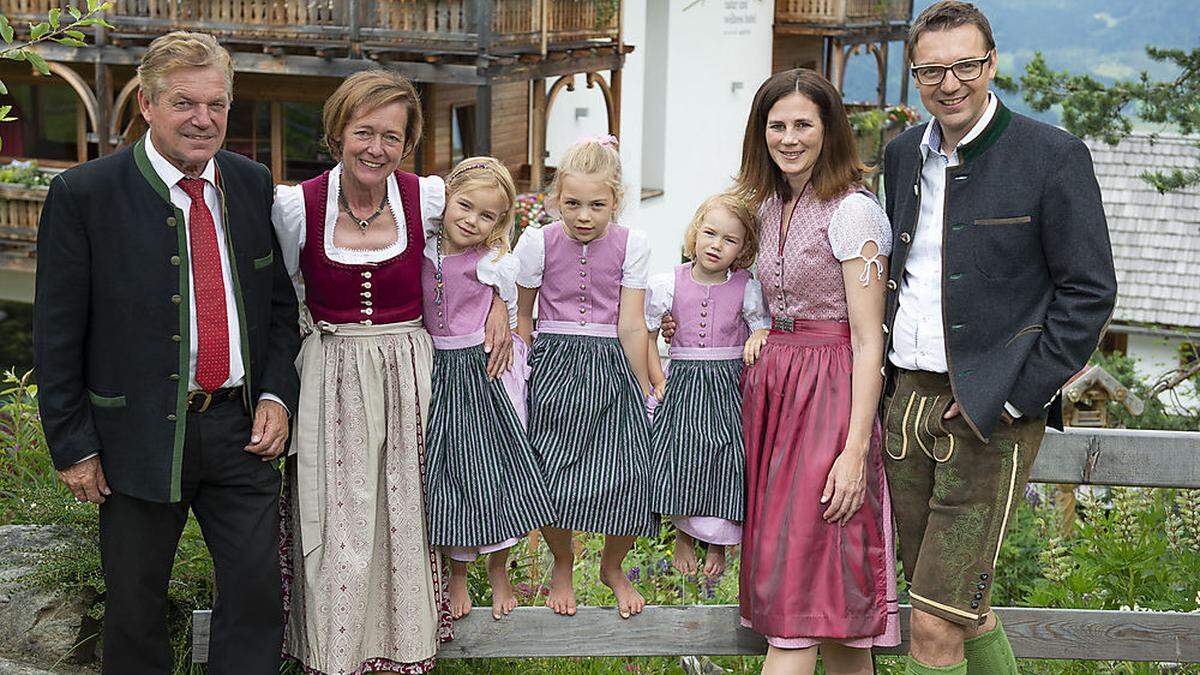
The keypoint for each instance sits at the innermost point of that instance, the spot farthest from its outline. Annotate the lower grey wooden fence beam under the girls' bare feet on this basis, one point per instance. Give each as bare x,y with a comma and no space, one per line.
537,632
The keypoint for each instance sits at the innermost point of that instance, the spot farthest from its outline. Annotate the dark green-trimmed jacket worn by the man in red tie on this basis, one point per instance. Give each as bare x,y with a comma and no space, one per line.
111,315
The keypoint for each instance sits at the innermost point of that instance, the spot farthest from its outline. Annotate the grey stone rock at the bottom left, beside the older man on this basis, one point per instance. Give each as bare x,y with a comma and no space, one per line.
43,628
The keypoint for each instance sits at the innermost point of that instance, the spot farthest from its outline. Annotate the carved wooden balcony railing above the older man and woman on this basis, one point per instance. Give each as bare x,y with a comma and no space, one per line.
399,23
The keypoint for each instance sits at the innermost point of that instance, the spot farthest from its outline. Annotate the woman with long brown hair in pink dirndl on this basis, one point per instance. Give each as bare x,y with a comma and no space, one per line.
818,563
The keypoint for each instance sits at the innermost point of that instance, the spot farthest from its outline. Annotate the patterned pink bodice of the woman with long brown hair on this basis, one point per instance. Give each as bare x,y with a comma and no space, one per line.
801,277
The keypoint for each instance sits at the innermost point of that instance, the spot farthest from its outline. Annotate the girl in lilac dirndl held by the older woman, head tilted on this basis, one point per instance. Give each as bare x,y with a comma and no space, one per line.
484,486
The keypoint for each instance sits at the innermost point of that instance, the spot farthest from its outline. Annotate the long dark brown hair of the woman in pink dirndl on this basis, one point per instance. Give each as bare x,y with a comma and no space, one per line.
837,169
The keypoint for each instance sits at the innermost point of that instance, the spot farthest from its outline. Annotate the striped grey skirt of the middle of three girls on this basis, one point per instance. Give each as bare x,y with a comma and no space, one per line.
587,423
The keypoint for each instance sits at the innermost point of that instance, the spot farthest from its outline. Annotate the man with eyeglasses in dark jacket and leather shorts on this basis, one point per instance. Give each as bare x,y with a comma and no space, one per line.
1001,284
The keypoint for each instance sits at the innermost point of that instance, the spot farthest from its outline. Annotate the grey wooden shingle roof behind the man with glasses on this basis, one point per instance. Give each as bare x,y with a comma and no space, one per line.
1156,238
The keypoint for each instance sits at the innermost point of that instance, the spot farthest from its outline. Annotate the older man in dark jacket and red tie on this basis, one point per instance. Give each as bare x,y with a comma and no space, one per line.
165,332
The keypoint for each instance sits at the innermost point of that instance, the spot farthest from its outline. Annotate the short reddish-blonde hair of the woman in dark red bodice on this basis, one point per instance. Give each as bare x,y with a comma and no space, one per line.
365,92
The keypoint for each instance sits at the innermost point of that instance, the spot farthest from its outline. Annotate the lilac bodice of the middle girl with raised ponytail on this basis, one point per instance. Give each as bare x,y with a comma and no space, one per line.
581,283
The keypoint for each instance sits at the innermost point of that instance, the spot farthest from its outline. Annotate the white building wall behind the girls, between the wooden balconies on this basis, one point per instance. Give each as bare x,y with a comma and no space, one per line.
689,103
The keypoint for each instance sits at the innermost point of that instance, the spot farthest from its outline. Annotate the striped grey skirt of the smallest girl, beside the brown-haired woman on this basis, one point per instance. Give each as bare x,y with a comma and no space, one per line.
698,447
